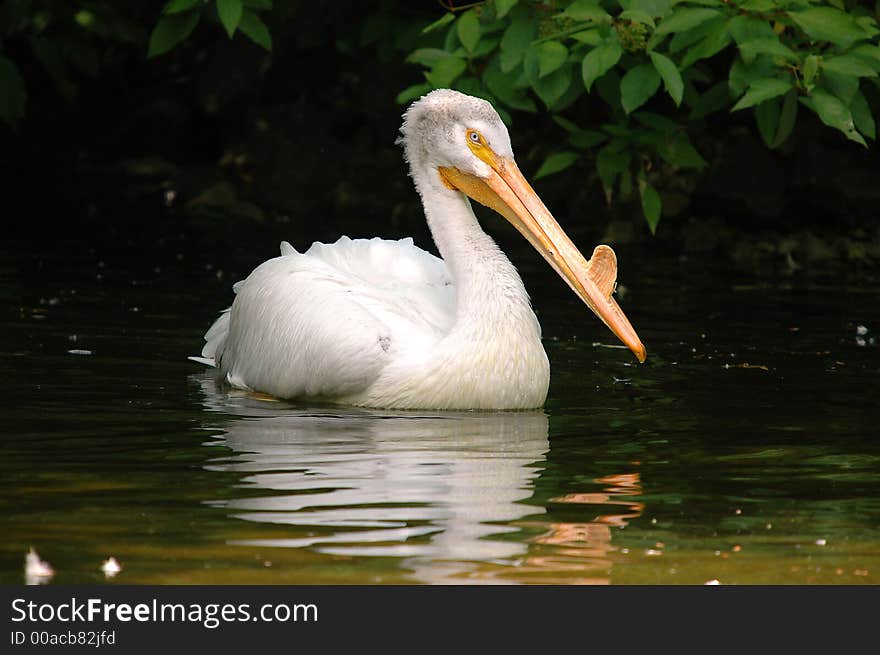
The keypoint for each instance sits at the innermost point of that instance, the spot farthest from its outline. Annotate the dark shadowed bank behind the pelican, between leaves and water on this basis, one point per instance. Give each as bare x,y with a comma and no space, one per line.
219,139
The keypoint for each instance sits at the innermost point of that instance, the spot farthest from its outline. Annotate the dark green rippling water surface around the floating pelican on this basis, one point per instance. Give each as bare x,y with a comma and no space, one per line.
746,450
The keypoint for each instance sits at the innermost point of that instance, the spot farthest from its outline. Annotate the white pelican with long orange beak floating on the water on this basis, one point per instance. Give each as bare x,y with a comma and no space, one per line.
384,324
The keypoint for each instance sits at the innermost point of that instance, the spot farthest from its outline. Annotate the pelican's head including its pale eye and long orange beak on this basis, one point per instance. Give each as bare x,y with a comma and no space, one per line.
462,140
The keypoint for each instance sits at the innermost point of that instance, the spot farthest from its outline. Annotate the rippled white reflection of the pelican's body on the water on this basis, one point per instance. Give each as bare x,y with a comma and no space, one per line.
436,489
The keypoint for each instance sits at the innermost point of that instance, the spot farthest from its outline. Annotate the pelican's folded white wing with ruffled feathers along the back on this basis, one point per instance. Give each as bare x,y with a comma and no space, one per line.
326,322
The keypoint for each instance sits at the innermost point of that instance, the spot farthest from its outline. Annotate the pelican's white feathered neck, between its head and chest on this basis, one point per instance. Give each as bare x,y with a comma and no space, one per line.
489,291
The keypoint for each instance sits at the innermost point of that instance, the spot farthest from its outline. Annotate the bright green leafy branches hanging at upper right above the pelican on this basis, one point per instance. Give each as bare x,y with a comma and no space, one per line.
627,80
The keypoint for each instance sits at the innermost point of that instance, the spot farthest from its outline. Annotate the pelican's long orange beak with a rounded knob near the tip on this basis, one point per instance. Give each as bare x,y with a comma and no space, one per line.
506,191
